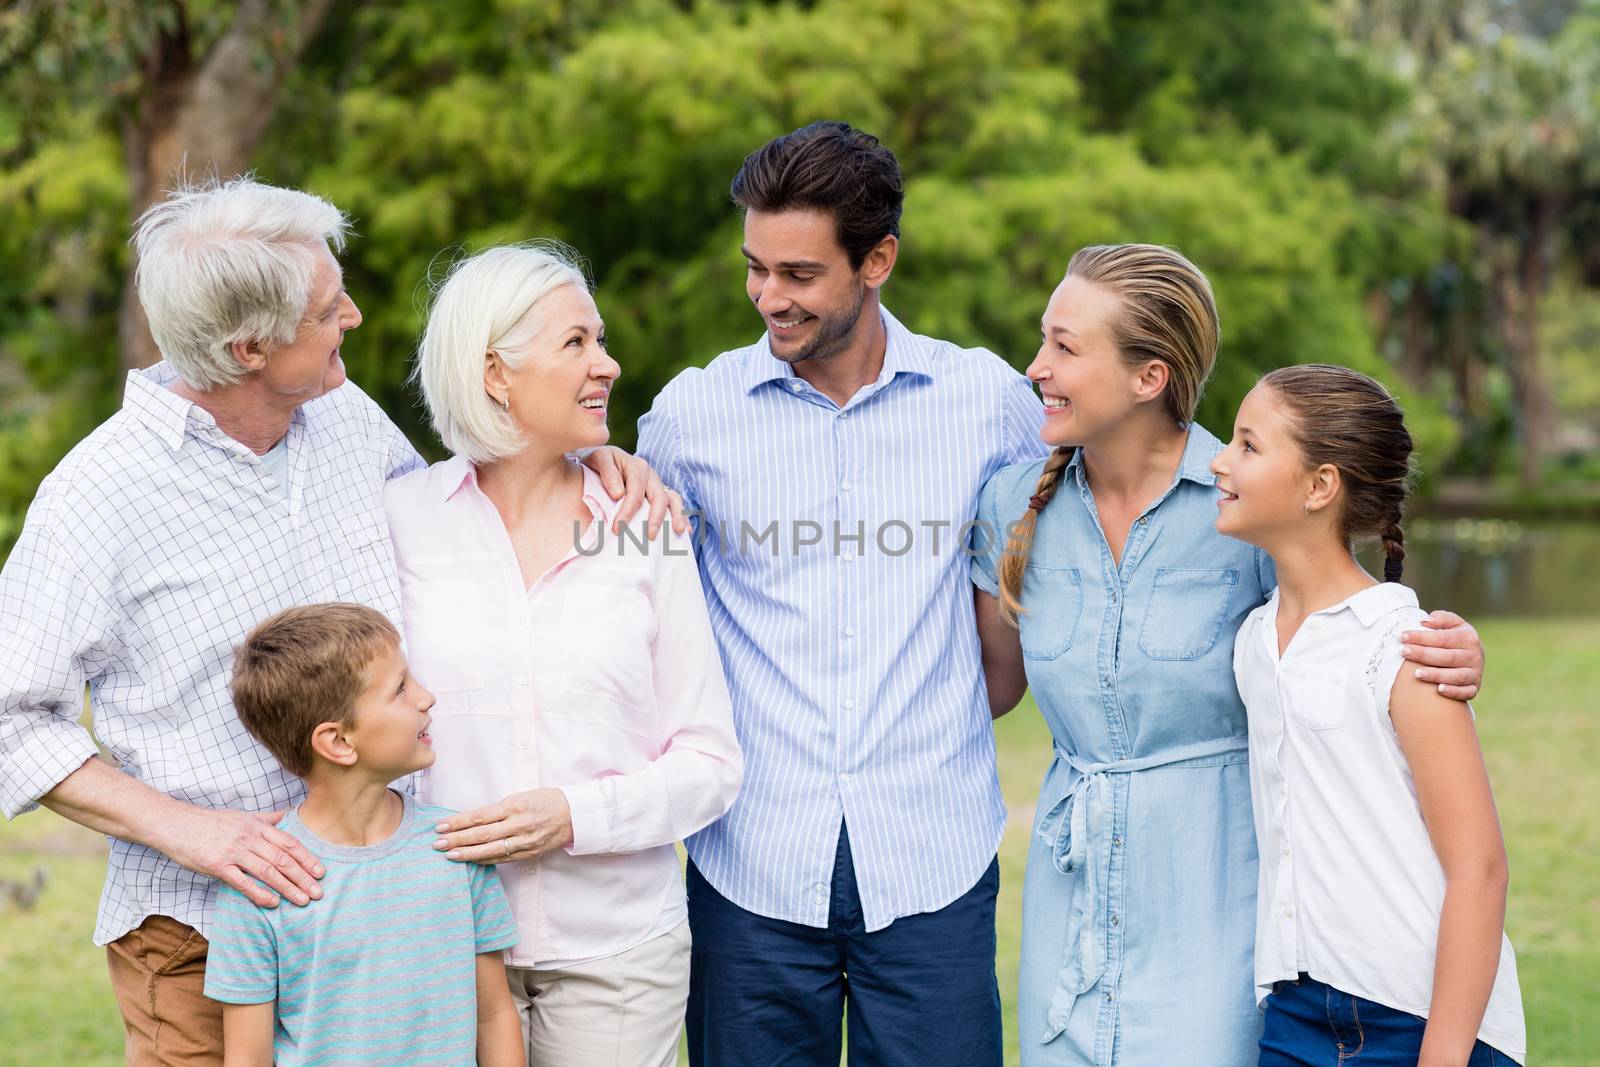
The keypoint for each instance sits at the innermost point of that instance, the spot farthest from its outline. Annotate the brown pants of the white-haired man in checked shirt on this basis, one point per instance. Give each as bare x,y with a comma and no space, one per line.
158,973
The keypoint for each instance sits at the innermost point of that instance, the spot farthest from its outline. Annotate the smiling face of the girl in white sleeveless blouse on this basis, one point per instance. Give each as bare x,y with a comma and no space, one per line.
1263,481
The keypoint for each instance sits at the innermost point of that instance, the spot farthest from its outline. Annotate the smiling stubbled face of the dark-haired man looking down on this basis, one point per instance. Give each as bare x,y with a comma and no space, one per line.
801,281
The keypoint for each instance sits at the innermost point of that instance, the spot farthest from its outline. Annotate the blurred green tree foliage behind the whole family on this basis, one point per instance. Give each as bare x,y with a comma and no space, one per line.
1305,153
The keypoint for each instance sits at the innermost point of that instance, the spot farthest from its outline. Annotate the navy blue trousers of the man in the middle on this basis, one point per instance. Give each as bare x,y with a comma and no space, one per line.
772,994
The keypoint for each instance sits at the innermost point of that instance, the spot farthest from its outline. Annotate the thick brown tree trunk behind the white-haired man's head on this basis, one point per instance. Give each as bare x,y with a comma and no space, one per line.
204,116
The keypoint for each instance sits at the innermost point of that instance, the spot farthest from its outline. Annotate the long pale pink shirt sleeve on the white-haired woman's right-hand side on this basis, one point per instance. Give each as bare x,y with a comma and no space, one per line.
697,777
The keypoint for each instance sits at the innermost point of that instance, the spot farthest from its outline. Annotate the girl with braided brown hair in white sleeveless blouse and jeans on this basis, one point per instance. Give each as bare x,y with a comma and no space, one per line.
1382,893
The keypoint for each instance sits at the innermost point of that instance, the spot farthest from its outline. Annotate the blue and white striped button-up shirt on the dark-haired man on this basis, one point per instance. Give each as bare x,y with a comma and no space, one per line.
833,549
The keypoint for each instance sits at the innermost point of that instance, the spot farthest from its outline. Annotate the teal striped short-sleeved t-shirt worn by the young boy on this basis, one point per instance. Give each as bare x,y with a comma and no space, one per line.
383,969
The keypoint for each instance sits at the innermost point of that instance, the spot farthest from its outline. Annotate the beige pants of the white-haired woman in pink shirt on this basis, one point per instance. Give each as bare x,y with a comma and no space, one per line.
622,1012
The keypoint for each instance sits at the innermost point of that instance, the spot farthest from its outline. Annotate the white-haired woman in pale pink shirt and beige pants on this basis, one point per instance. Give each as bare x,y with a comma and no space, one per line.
583,716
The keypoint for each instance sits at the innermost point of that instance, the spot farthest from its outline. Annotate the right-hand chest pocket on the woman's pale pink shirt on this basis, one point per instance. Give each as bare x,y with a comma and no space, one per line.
609,637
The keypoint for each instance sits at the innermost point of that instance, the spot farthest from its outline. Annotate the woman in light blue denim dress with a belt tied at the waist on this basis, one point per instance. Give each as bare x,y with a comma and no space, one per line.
1118,602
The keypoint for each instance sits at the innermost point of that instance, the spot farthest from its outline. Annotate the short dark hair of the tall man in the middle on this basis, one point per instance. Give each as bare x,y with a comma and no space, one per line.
828,167
